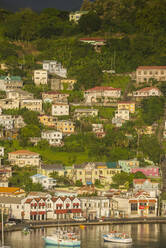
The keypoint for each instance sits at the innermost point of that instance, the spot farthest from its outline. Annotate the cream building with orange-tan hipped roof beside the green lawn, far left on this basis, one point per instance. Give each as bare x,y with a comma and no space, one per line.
24,158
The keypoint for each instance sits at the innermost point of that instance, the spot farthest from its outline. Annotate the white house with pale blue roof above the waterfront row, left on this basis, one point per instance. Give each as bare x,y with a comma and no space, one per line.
47,182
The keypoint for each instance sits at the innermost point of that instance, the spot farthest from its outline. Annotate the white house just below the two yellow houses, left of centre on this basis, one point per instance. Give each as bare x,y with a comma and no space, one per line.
53,137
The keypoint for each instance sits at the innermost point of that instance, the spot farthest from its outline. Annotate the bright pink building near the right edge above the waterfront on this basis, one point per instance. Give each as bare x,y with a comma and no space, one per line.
147,171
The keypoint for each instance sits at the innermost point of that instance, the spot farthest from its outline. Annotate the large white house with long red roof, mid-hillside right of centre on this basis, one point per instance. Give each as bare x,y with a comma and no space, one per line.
101,94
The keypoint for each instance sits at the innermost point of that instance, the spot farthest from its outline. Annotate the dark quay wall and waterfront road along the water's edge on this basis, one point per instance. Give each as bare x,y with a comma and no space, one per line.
49,224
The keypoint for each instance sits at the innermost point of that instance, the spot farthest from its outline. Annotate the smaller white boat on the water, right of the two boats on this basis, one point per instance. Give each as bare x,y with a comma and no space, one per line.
117,238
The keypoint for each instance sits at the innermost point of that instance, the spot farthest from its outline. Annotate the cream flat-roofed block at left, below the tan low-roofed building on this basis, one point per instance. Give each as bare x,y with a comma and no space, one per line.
32,104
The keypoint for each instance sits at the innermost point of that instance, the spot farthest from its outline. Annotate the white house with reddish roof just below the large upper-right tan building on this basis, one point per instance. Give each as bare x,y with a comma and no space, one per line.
148,91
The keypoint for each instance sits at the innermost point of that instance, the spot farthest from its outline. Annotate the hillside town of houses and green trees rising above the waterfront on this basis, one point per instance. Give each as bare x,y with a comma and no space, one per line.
80,141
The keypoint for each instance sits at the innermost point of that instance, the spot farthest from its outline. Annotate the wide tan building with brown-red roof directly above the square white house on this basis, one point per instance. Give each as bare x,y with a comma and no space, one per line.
55,97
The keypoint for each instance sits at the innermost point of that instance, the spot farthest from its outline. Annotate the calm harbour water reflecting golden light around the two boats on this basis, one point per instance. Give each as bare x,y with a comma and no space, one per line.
144,235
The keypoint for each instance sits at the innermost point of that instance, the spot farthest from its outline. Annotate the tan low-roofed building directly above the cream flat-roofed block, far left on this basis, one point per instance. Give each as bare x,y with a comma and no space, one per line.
19,94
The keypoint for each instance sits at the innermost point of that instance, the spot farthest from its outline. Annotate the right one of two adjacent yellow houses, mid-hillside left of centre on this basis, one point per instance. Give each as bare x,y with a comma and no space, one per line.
65,126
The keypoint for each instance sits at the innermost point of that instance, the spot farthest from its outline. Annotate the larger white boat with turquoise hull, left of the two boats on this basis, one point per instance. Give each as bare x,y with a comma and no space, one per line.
64,240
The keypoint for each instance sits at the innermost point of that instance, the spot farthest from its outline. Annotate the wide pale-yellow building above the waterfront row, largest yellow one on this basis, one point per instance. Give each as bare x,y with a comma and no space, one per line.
88,173
